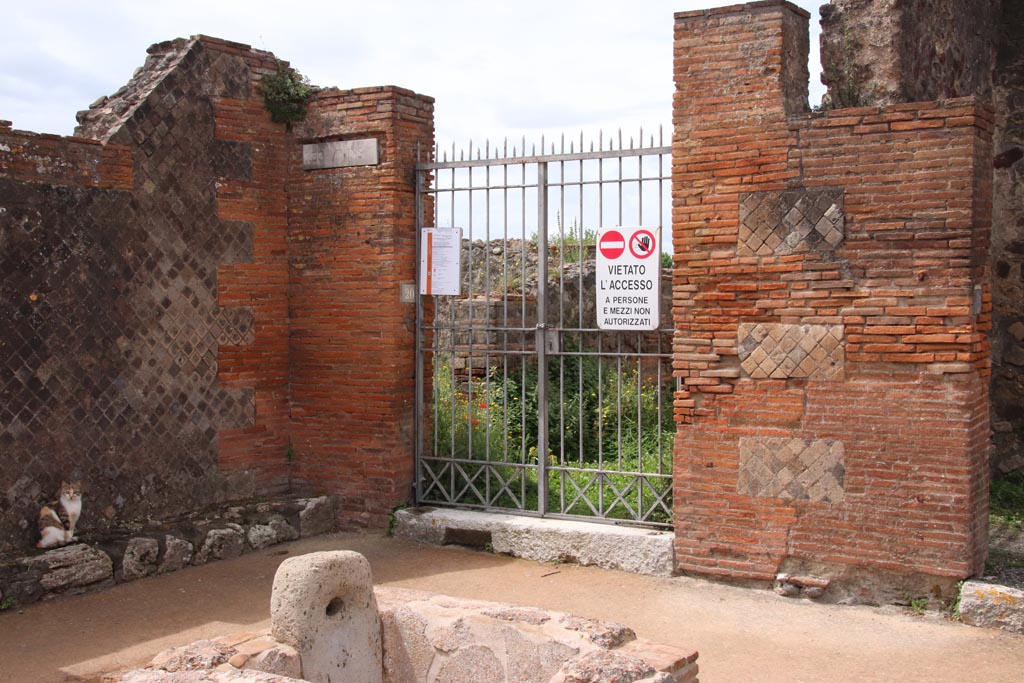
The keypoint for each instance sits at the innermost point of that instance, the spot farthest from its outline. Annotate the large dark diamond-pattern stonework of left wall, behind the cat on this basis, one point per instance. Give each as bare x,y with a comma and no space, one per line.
111,325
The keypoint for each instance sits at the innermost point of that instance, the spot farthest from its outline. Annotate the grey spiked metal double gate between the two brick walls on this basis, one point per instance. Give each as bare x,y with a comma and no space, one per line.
523,403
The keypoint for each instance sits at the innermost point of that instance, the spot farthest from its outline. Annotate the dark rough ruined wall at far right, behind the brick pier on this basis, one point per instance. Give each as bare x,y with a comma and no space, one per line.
891,52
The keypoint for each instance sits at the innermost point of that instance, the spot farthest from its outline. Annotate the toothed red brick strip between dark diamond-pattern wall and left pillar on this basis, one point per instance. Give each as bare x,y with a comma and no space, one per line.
254,199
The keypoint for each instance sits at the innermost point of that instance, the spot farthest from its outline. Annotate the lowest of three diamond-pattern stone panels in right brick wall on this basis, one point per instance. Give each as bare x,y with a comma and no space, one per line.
793,469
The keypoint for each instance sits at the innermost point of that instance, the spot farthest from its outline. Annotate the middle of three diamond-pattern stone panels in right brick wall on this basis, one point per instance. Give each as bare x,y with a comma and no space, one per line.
779,352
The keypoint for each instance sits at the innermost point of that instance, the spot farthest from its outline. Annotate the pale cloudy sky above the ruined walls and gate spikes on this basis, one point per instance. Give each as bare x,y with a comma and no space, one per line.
496,70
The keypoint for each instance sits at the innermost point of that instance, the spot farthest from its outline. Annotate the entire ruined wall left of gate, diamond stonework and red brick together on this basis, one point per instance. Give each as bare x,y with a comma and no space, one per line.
169,276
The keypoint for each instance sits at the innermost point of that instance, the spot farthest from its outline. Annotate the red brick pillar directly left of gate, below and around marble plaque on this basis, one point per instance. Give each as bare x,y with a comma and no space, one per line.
353,361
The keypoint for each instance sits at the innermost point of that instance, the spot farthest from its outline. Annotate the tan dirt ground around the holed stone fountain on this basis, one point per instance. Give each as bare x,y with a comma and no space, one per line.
742,634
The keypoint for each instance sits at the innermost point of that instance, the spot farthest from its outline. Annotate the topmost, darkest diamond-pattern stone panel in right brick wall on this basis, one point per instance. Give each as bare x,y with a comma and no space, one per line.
781,223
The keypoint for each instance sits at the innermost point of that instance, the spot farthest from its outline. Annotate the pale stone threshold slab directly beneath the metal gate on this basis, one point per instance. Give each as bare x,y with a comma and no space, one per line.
607,546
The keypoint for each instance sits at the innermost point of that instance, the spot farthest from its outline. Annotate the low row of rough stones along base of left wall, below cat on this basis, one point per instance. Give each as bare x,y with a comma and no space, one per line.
97,563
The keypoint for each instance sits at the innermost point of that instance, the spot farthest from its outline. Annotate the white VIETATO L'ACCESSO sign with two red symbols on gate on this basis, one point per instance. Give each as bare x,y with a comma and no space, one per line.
629,278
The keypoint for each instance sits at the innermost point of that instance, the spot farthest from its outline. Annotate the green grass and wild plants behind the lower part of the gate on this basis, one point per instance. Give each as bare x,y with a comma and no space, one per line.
607,422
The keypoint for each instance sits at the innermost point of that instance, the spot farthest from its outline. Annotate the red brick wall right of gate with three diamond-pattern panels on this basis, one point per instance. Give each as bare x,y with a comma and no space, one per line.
832,309
